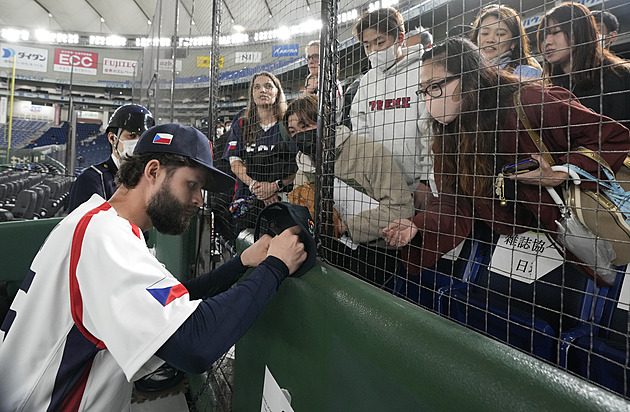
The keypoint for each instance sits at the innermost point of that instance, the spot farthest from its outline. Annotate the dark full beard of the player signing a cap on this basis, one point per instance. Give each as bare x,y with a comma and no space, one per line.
168,215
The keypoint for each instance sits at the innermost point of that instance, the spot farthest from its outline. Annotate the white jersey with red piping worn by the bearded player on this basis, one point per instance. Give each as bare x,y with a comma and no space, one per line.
88,319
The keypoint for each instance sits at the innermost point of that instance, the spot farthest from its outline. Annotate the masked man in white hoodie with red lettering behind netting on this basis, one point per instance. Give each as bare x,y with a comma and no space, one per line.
385,107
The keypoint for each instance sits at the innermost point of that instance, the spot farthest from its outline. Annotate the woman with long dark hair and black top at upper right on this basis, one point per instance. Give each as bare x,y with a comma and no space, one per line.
568,36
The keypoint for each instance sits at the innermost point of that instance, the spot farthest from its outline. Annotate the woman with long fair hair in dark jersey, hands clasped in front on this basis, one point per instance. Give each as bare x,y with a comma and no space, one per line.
260,151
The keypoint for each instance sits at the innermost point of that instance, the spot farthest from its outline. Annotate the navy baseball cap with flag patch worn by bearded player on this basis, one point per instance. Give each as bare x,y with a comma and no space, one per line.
185,141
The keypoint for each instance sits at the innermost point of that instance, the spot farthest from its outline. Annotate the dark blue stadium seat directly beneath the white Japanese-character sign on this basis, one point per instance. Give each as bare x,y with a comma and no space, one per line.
527,315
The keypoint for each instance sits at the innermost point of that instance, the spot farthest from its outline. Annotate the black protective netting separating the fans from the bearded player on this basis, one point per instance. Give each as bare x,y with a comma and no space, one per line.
429,166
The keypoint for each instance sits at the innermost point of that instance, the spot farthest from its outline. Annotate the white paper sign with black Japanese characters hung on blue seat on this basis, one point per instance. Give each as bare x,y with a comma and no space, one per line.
526,257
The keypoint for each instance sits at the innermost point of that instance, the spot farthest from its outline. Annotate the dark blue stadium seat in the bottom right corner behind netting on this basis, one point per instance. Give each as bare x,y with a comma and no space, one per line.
600,350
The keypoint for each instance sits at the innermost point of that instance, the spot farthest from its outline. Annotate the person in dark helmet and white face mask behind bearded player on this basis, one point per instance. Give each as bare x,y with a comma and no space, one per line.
123,130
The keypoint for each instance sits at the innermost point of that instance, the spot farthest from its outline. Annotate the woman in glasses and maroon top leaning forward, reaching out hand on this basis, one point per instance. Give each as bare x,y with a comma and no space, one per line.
477,133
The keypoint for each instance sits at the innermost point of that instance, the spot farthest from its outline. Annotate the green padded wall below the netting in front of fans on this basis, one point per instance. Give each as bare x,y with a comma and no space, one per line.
338,344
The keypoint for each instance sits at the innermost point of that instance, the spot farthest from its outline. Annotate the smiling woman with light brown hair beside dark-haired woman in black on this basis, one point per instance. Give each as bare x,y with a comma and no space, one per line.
500,36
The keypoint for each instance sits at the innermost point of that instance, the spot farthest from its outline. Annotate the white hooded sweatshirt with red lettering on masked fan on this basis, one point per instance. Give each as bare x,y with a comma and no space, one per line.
387,109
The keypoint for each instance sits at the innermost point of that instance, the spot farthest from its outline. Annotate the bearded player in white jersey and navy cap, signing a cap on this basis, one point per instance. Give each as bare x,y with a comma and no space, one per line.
97,310
